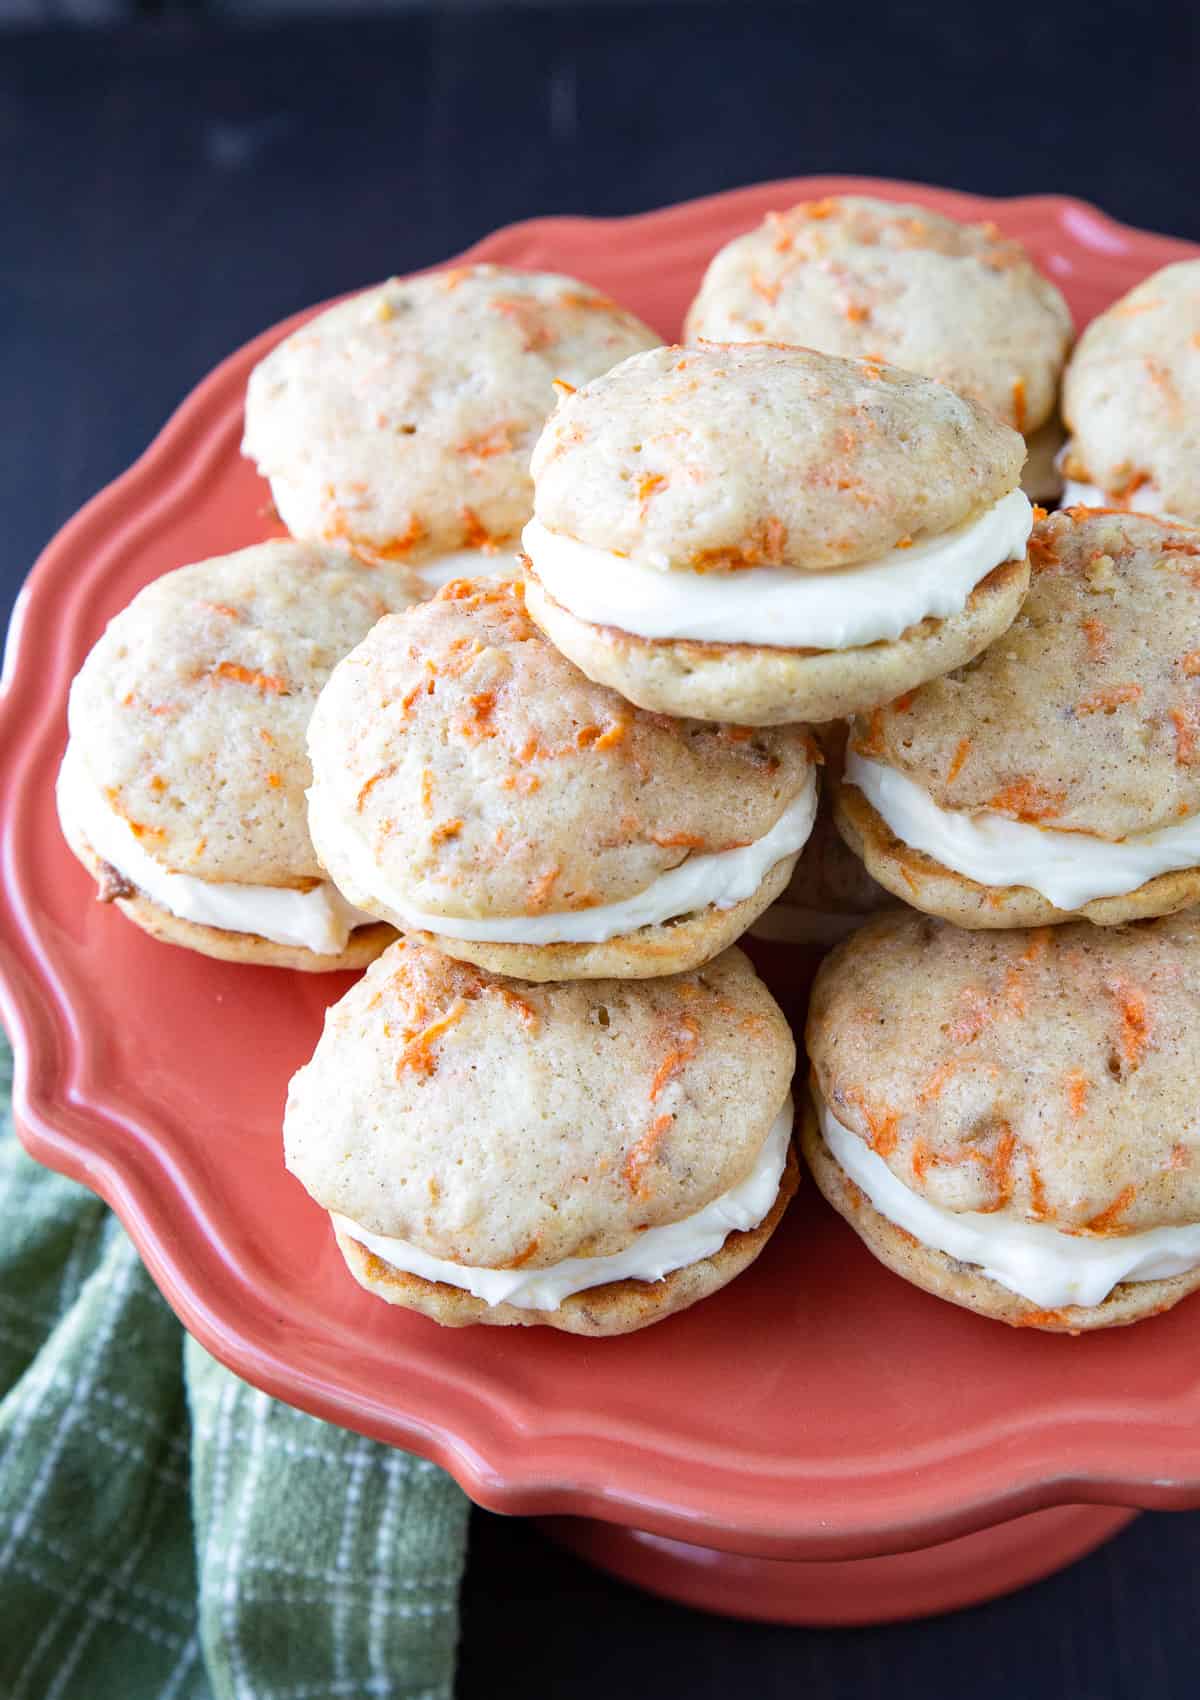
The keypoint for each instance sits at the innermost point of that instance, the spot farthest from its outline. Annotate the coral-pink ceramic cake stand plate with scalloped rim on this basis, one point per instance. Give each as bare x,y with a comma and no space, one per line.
818,1408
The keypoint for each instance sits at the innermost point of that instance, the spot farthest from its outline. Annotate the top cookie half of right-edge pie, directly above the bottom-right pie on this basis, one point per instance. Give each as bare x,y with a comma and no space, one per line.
1085,717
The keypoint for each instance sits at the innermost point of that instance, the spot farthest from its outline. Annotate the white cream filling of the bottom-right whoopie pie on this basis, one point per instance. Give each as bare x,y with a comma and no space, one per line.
1031,1259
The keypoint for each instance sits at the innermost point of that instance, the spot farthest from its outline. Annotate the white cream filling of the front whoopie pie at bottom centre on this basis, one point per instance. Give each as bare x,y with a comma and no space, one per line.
652,1255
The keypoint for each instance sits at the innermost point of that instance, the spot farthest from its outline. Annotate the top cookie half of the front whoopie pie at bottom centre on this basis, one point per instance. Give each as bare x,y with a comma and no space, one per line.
504,1125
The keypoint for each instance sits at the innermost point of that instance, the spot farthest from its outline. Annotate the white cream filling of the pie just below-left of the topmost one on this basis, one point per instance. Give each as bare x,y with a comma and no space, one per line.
720,881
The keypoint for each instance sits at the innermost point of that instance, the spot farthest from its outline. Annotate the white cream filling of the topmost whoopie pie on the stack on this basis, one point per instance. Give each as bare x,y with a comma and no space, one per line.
783,608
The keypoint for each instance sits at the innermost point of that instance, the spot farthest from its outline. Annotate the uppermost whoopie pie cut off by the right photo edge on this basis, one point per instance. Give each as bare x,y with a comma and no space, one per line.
1131,400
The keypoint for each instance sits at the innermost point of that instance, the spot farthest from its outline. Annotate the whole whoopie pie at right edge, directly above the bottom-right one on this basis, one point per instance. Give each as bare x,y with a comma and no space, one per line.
1060,773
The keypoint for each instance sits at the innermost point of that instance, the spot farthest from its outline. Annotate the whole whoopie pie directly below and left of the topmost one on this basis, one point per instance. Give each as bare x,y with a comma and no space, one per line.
472,786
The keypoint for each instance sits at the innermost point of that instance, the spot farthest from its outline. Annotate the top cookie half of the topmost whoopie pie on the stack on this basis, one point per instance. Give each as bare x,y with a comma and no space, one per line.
723,458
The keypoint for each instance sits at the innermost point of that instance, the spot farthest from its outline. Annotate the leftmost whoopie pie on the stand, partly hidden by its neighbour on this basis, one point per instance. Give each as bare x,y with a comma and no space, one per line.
183,786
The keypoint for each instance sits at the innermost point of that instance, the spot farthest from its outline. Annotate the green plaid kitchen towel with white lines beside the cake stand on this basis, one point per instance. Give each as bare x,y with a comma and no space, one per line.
166,1531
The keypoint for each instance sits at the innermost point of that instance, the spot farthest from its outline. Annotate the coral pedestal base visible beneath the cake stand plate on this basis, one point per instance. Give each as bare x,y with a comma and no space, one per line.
825,1594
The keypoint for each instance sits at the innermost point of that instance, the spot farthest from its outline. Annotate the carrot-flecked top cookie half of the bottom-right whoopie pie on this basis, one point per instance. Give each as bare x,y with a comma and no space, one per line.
1048,1077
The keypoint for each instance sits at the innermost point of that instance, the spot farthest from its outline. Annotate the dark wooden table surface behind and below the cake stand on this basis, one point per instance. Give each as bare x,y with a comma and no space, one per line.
169,191
